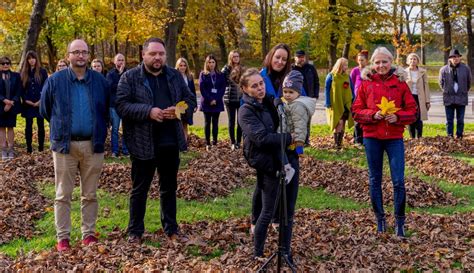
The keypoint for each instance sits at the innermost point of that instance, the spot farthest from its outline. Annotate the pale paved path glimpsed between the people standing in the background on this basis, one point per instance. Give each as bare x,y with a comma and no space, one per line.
436,115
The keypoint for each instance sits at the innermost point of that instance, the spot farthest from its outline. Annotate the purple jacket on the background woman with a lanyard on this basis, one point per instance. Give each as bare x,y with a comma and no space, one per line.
207,83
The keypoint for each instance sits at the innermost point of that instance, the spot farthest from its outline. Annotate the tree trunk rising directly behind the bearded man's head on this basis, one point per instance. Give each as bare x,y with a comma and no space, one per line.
174,26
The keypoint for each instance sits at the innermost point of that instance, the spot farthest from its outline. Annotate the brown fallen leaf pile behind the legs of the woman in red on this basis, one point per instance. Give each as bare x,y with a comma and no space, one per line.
346,181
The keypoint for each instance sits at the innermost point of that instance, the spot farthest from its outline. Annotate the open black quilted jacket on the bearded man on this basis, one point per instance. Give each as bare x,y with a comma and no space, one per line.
134,102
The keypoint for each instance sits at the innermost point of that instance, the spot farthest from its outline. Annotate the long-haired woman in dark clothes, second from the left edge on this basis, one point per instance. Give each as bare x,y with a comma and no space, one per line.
33,77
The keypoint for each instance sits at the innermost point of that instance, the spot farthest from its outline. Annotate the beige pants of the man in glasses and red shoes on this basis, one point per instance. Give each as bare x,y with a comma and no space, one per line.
81,157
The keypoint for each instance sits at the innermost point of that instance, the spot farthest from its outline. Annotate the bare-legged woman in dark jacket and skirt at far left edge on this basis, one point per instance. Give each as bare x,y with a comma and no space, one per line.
10,92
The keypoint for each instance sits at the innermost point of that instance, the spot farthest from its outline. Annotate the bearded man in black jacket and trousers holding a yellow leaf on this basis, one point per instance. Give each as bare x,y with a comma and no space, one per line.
146,100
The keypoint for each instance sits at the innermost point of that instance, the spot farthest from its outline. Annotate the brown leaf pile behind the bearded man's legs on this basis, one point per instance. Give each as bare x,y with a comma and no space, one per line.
212,174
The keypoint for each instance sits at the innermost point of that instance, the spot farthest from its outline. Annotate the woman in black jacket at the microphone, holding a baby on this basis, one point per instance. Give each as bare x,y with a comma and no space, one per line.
259,121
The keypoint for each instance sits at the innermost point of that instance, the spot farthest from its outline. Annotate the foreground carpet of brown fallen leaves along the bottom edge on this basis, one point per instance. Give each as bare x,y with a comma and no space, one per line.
322,241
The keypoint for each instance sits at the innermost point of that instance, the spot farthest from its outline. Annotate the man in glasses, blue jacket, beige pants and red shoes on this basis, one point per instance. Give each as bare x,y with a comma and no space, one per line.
75,102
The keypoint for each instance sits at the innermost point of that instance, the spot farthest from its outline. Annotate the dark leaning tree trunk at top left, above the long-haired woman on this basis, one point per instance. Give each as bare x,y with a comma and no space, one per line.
34,29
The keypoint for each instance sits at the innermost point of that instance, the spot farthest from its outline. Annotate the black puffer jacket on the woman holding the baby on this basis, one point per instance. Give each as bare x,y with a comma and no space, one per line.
259,122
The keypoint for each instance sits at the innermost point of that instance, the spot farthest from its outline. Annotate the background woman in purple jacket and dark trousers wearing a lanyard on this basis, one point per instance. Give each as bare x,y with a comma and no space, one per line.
212,85
